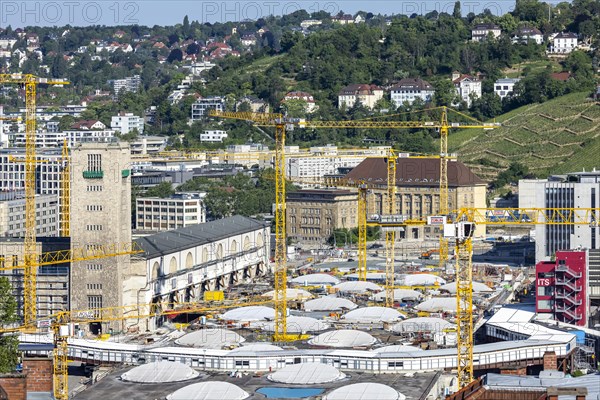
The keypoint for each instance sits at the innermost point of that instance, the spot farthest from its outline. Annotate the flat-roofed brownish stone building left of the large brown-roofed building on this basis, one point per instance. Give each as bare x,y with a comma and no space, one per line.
313,214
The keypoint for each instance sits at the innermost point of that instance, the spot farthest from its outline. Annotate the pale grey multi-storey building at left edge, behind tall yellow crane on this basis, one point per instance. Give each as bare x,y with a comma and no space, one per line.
12,214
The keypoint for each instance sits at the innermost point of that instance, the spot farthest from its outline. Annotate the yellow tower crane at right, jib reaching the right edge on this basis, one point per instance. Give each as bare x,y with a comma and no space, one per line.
463,227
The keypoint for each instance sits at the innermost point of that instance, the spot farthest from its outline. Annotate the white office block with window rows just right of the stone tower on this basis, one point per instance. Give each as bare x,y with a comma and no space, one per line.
180,210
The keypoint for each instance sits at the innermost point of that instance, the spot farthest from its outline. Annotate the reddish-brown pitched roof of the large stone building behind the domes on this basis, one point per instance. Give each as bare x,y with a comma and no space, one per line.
414,172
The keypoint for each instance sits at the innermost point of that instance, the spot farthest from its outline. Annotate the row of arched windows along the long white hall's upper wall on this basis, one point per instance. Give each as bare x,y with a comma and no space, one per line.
172,266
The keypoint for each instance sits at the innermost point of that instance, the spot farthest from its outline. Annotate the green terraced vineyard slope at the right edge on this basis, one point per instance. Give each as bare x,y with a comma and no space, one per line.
557,136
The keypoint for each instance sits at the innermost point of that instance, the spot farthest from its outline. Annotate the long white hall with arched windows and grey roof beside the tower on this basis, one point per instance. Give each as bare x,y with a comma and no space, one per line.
180,265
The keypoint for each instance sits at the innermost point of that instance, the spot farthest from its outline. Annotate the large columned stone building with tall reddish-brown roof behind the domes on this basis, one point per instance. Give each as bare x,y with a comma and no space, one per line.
418,190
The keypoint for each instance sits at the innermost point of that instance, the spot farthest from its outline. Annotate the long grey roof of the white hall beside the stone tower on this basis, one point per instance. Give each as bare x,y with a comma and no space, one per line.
191,236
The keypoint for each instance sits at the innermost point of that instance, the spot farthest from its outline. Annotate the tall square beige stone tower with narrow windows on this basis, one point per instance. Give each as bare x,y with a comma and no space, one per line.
100,214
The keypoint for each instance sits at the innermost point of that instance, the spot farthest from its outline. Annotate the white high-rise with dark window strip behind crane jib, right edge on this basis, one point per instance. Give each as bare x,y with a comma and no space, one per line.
574,190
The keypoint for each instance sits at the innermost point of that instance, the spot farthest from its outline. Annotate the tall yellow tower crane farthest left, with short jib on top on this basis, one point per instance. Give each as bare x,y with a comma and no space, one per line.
30,83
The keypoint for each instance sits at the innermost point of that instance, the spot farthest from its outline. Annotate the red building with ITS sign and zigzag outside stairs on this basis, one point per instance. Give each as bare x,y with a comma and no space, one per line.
561,287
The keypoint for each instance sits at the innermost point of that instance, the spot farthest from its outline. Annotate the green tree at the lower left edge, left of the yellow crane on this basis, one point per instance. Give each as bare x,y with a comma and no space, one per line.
9,356
